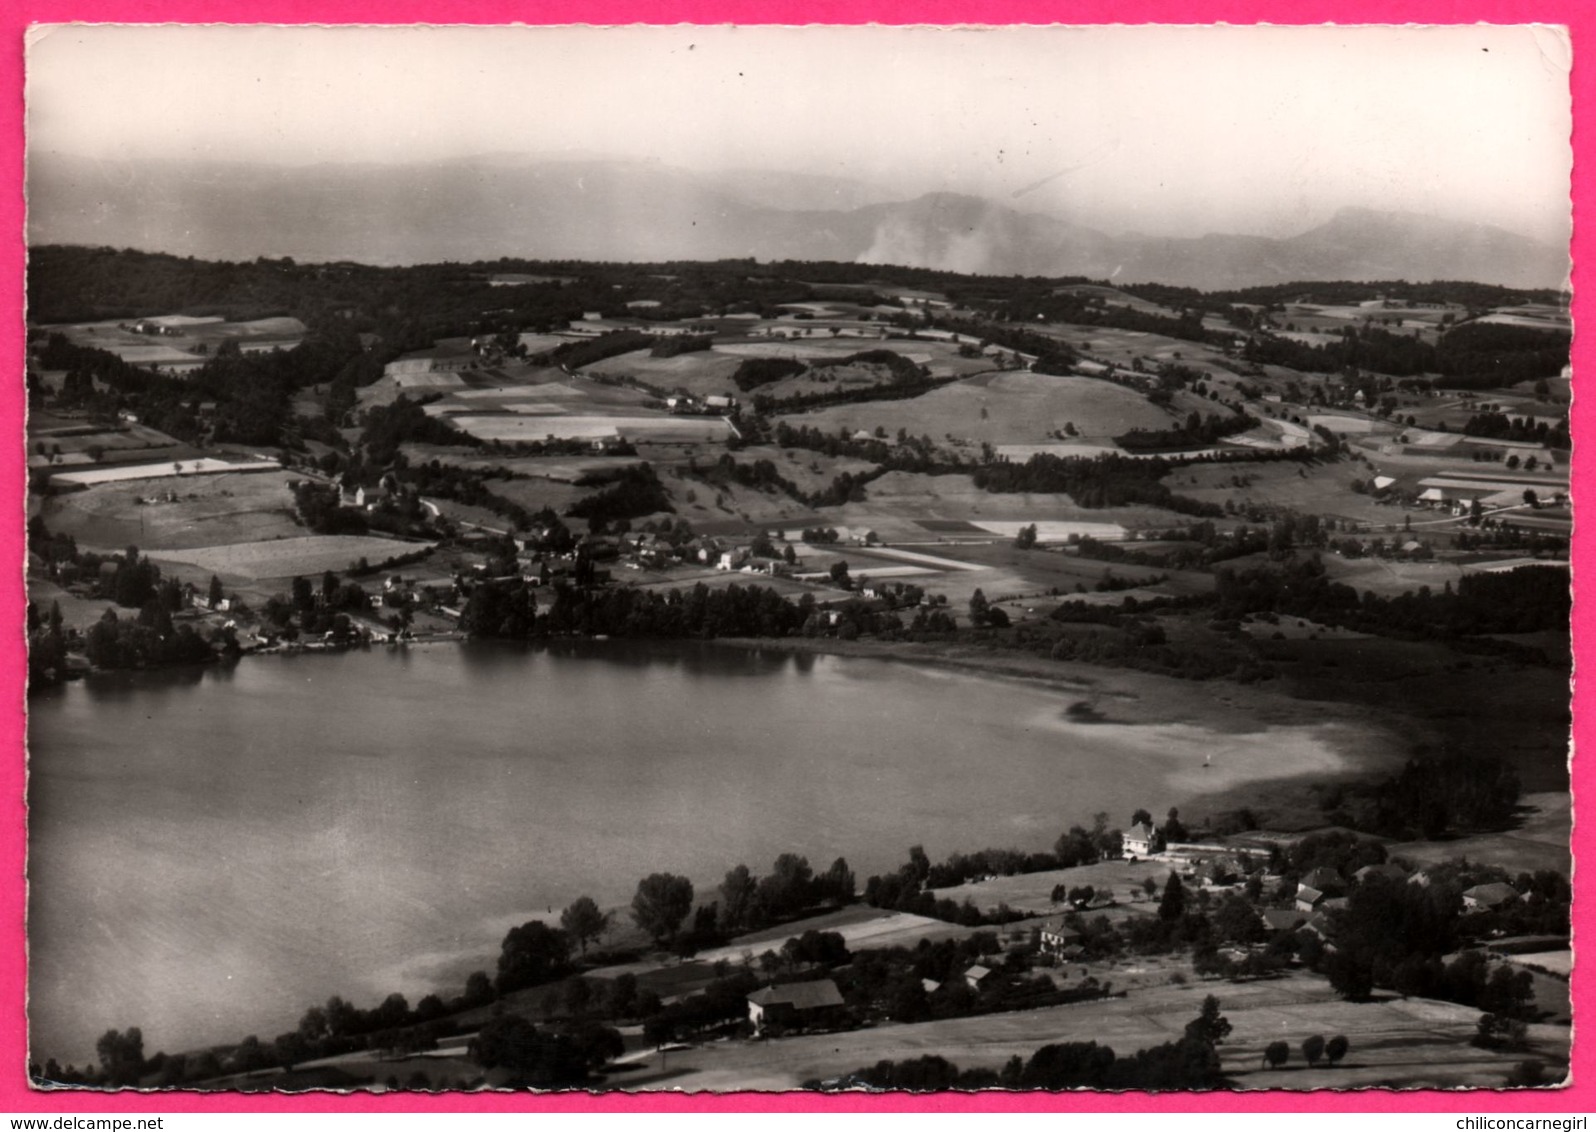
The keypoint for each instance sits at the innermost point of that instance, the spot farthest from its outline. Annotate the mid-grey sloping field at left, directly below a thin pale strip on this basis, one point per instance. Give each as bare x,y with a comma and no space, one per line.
208,512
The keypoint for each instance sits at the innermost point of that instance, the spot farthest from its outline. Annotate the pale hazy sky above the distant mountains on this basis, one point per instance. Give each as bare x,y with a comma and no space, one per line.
1163,130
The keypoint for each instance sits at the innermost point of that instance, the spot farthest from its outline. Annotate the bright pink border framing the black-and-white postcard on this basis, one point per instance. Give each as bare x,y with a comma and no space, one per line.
15,1096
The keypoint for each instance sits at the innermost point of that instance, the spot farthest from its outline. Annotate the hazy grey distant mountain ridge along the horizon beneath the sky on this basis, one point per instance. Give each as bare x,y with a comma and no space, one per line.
596,208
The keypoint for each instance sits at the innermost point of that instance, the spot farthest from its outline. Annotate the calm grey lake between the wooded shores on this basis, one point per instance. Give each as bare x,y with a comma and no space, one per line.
216,850
